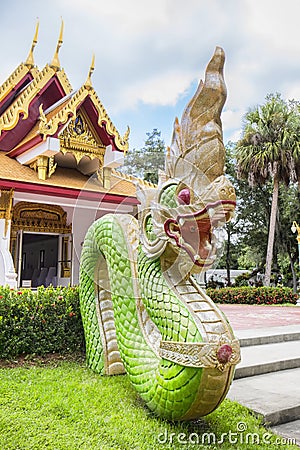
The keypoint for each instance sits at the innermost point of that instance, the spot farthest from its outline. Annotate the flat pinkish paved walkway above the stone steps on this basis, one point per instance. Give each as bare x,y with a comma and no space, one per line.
243,317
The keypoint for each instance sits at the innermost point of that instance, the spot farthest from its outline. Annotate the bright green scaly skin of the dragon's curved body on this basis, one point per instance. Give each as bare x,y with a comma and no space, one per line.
169,389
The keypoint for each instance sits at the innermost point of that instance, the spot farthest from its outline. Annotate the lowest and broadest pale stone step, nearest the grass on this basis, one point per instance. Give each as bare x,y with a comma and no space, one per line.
275,396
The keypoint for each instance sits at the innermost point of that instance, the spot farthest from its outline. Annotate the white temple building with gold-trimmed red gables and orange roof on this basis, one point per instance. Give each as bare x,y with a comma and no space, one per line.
59,151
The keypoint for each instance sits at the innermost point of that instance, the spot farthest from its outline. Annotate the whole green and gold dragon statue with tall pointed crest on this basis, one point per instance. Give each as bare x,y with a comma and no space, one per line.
143,312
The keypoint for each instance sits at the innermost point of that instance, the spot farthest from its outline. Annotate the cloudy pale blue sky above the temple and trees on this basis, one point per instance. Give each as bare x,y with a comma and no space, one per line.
150,55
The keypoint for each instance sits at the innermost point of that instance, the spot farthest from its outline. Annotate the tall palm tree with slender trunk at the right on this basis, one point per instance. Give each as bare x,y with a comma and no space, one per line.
270,149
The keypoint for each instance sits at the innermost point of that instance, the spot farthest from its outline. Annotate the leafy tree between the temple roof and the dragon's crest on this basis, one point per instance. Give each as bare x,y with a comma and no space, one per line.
144,163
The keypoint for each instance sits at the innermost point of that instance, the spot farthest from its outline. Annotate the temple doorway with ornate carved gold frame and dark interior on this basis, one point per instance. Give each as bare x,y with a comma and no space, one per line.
41,245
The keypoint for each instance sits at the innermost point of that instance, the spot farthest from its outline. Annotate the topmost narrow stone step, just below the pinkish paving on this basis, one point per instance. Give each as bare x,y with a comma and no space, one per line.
271,335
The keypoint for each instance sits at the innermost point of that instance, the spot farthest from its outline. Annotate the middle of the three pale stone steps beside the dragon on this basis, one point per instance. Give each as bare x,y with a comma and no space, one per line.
266,358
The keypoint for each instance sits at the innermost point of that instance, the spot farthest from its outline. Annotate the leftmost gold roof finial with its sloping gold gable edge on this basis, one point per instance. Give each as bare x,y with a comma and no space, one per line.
21,70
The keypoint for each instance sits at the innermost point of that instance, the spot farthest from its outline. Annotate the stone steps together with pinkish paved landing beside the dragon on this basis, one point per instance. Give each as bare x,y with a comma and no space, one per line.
274,332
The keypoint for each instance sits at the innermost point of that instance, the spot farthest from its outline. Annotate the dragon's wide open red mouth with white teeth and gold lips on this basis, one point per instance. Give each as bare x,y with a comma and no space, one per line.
193,232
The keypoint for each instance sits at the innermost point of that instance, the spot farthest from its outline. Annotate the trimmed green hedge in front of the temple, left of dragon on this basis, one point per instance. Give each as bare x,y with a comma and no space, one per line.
45,321
